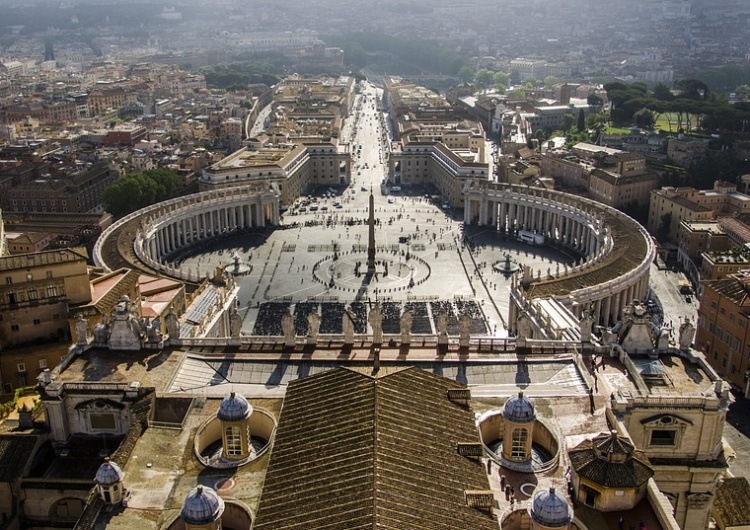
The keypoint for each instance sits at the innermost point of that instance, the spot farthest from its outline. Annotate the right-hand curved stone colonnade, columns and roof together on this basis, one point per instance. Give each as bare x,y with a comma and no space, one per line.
617,251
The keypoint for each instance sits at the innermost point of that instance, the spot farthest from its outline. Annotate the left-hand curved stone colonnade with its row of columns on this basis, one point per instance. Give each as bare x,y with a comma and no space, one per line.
176,224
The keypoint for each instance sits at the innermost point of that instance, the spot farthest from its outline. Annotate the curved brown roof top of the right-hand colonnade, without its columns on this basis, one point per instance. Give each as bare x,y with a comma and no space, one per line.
631,247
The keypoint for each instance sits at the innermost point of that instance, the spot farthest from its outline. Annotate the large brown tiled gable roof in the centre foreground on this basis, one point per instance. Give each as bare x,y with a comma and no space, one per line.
356,451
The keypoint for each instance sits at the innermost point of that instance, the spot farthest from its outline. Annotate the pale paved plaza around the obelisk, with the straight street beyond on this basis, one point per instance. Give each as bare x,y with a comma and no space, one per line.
319,252
